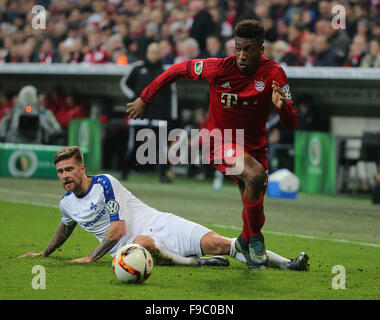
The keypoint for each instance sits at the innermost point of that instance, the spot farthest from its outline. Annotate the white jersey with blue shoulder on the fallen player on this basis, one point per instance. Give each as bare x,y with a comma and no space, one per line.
105,201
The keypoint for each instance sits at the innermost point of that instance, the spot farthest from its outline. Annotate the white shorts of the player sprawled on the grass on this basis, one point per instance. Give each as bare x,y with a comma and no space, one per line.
178,235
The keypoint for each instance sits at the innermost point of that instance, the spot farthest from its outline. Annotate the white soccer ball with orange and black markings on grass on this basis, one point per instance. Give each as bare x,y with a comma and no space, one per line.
132,263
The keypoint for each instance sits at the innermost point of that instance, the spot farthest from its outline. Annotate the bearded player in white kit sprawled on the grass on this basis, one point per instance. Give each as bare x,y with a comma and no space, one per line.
105,208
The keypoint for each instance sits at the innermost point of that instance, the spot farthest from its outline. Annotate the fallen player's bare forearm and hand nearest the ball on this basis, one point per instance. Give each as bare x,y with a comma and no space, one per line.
114,234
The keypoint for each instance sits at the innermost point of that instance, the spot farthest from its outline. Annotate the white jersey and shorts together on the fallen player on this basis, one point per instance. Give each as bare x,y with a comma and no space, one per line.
107,200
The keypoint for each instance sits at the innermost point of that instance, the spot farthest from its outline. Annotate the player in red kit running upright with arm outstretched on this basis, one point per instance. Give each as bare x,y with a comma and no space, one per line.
242,90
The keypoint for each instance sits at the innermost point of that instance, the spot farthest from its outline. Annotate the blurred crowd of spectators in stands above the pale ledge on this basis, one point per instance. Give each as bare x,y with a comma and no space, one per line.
298,32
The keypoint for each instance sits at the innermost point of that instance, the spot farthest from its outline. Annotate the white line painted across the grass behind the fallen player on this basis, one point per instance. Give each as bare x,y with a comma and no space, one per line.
295,235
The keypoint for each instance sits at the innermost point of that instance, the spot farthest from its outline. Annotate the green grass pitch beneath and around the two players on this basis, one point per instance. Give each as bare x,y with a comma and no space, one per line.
332,230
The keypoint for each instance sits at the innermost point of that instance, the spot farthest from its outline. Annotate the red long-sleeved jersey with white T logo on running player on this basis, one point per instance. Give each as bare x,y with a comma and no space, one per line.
237,101
